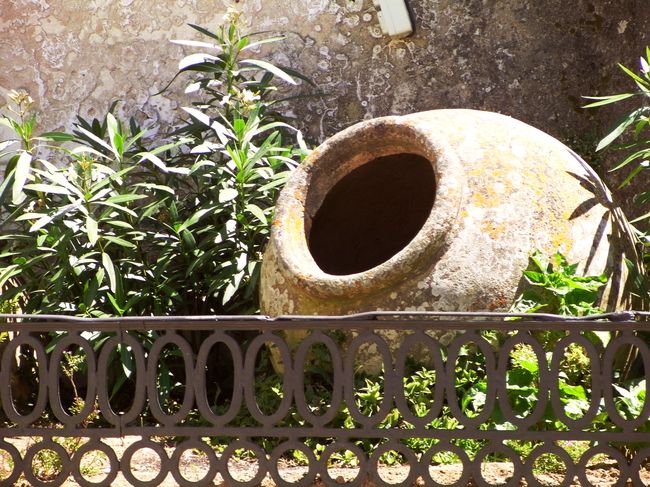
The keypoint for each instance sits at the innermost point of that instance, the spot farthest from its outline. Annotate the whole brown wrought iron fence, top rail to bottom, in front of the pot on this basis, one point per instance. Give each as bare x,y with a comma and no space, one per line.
196,392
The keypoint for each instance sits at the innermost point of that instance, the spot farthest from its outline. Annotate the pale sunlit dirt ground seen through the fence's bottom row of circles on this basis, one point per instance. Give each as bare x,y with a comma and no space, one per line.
193,467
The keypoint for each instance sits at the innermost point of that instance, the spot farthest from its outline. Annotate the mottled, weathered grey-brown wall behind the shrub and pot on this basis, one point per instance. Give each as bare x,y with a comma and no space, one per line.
531,59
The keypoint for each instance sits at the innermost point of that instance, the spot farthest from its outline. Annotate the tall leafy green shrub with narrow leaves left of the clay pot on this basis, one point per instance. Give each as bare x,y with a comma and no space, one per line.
103,221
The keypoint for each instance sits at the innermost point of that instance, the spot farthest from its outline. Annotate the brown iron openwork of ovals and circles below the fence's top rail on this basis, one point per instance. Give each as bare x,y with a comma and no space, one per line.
600,359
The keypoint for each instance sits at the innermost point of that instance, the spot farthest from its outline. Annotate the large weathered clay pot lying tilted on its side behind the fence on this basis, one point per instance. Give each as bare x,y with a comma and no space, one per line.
436,211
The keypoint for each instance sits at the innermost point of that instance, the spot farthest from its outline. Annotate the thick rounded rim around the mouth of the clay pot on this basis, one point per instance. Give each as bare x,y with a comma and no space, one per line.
337,157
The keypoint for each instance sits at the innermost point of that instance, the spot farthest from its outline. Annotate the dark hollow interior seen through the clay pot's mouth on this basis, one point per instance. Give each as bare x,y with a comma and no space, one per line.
372,213
